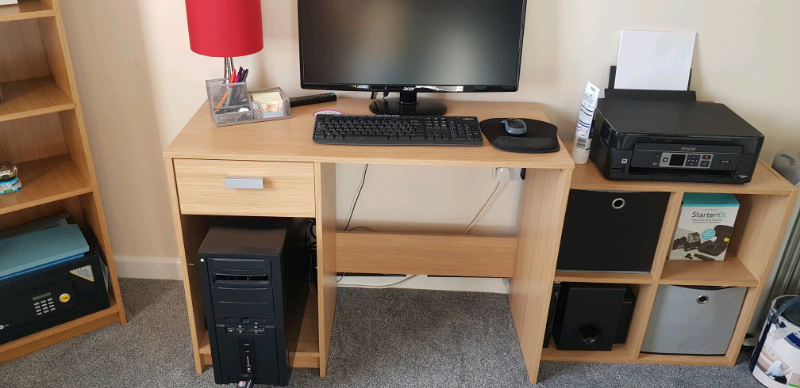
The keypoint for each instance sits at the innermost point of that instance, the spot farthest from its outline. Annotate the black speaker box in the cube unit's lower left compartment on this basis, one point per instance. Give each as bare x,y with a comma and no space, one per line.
587,316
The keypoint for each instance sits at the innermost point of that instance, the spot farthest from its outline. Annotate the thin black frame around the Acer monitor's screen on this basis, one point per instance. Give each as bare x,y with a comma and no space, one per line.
410,88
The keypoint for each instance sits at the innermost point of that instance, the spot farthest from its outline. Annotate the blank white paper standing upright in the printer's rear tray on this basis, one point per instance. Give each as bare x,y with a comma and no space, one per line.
653,60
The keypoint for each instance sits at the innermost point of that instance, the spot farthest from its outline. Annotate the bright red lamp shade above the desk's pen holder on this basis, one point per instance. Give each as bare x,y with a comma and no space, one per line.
225,28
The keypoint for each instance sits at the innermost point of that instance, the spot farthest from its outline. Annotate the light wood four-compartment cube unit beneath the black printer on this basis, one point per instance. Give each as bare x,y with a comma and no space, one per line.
765,206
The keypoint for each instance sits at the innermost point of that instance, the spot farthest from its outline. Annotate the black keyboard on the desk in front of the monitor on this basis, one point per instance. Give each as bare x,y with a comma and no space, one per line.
397,130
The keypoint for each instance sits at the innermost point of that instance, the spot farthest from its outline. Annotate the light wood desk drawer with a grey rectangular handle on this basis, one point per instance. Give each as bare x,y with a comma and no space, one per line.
239,188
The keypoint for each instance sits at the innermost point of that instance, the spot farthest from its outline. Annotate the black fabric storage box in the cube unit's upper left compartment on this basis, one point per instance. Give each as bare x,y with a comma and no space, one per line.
611,231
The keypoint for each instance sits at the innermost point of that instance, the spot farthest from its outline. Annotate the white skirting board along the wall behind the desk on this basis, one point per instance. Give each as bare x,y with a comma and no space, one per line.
169,268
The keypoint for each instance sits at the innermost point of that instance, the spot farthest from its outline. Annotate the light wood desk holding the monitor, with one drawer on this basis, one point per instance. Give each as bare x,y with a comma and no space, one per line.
300,181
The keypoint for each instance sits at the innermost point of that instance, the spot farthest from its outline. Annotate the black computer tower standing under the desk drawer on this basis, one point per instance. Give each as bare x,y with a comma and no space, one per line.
253,270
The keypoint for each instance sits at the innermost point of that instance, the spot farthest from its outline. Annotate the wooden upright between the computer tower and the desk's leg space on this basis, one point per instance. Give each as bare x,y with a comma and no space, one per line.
325,193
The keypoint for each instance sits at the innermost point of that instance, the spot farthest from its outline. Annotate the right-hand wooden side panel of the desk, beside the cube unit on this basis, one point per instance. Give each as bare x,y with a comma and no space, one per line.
544,203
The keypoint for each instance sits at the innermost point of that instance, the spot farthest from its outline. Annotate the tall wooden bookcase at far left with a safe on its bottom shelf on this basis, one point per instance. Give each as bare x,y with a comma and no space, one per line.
42,131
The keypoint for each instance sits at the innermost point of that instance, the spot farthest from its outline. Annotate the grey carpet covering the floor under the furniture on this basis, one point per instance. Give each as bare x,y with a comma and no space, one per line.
382,338
